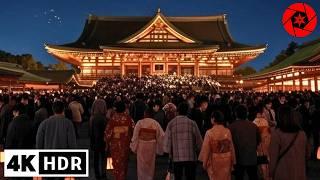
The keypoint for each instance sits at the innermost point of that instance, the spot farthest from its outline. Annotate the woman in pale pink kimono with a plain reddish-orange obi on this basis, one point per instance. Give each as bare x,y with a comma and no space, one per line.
146,143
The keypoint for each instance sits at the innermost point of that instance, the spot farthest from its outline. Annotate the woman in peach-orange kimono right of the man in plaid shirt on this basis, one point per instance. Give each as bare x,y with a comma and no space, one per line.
217,152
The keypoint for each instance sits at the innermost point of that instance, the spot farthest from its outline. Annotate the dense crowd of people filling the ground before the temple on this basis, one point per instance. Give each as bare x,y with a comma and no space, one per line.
263,135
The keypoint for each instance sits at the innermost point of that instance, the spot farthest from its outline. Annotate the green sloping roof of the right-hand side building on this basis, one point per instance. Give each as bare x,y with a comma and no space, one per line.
308,54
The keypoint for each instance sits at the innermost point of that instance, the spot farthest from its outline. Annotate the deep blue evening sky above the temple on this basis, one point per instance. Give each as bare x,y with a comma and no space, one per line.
27,25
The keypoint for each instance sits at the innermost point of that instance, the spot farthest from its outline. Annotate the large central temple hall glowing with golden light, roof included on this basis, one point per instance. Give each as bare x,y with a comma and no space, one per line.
198,45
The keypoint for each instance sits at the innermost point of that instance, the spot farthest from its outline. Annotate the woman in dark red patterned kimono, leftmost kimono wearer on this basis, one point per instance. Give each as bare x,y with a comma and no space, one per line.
118,134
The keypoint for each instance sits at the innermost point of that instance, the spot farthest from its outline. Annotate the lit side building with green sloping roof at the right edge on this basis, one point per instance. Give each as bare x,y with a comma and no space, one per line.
300,71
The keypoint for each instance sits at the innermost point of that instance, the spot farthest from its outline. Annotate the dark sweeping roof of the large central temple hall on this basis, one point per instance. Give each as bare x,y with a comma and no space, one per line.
106,31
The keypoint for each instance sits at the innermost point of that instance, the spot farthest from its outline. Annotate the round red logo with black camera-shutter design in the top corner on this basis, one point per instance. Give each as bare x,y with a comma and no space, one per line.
299,19
